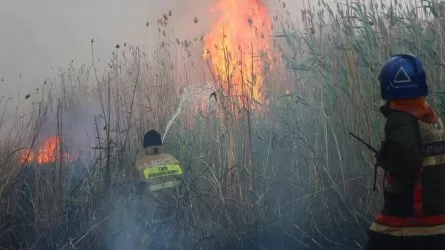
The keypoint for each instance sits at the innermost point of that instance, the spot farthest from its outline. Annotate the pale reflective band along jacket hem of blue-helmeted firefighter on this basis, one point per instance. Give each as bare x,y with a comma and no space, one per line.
407,231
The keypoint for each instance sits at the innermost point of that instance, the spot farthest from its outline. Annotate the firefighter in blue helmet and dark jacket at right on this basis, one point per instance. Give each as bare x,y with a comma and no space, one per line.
412,156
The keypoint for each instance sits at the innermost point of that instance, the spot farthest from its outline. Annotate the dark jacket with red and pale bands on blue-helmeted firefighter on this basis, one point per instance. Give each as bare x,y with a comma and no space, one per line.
413,157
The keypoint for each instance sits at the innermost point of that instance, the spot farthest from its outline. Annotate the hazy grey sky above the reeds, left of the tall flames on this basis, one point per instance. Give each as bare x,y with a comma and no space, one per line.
38,35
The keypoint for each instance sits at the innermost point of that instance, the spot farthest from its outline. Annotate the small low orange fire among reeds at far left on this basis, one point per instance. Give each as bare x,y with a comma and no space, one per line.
46,154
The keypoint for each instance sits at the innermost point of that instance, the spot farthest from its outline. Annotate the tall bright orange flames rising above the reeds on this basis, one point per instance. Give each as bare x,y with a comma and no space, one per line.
237,46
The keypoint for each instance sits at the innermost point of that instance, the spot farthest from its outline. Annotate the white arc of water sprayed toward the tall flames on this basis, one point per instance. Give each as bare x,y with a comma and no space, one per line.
190,92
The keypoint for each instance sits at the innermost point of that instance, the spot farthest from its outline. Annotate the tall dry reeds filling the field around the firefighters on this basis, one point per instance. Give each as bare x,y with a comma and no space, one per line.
287,177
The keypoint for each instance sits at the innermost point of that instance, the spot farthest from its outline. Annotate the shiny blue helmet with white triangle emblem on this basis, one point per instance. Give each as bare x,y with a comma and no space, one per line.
402,76
